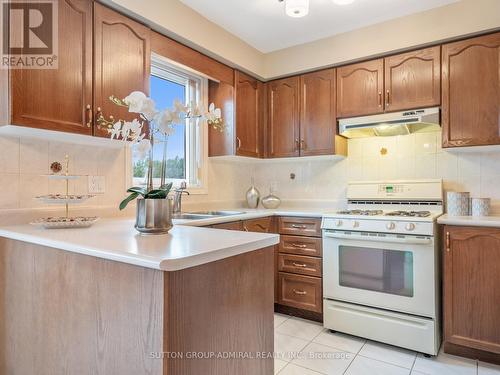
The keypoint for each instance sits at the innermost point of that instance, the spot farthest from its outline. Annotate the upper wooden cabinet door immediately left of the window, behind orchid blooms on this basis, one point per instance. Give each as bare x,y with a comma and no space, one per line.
122,62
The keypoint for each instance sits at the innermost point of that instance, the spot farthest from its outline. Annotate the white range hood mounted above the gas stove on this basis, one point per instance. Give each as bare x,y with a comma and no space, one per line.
390,124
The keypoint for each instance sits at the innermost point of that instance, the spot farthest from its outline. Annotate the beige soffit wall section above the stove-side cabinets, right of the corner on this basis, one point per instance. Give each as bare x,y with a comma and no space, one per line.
464,17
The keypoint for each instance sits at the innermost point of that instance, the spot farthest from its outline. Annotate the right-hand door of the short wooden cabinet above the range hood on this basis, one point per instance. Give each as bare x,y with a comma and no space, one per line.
413,79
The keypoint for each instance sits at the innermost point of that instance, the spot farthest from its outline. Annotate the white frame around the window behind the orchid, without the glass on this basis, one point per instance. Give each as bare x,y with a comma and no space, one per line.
196,138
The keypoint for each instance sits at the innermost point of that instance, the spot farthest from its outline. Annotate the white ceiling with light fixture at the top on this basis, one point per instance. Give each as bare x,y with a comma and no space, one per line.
264,25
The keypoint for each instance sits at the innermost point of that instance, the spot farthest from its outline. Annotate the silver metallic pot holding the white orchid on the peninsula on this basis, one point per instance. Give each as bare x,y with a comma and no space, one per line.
154,216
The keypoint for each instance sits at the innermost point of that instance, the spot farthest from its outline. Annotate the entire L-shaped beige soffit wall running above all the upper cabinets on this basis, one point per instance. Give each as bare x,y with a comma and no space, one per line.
184,24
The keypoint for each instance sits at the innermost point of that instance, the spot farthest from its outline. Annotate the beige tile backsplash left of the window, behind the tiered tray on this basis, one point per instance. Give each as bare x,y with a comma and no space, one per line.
24,169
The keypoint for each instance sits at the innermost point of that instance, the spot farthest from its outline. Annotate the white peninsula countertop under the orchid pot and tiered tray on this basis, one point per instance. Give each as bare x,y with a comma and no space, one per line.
116,239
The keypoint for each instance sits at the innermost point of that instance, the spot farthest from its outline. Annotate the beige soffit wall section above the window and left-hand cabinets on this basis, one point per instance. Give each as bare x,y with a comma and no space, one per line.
180,22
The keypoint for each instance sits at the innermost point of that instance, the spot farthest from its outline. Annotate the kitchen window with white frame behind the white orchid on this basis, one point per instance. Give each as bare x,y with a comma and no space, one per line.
187,147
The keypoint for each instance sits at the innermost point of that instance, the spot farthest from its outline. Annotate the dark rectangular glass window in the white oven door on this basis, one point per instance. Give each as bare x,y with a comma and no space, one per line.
381,270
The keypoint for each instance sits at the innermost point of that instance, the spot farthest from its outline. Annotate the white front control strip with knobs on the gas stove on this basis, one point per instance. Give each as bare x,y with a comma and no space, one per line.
379,225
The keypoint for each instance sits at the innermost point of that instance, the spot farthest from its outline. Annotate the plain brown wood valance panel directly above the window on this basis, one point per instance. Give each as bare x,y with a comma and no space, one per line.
184,55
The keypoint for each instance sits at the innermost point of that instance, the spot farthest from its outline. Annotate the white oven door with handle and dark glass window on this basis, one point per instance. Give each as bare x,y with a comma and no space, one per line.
394,272
